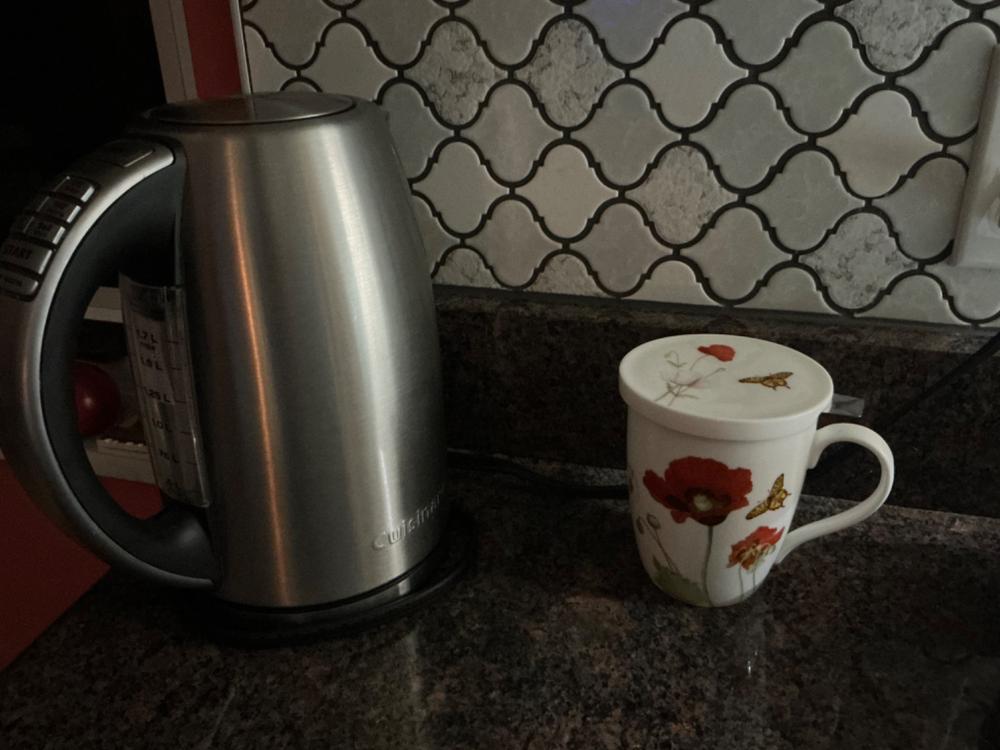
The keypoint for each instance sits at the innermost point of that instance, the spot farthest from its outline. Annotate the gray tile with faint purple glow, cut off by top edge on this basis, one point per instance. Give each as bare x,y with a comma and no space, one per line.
629,28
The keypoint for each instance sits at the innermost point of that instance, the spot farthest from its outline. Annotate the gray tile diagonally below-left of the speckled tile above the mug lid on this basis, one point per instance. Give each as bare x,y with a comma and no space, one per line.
620,248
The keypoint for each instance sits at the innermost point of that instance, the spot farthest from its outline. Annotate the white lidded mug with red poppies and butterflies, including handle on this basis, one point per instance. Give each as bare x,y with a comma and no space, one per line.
721,431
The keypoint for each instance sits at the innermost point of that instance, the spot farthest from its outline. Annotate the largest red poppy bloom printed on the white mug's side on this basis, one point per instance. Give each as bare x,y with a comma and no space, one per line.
700,488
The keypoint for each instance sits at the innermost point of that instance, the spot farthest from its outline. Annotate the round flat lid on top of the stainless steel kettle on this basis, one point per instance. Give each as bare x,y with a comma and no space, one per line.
252,109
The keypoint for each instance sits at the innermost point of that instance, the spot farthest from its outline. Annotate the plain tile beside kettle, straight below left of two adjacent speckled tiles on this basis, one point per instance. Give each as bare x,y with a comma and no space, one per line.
459,187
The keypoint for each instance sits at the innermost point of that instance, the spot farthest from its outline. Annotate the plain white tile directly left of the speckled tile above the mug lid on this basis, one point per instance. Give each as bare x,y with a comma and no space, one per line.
565,191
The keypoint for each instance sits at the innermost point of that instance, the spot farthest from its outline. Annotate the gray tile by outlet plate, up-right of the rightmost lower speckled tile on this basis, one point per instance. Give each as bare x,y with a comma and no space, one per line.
924,210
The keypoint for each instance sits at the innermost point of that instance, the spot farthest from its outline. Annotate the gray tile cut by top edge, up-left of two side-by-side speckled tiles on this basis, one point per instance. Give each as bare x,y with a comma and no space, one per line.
398,28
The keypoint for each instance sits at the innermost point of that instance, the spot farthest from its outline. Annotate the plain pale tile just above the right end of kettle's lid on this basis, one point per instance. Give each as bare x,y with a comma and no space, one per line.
346,65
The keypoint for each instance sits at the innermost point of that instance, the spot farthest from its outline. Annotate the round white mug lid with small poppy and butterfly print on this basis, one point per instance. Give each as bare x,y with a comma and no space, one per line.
725,387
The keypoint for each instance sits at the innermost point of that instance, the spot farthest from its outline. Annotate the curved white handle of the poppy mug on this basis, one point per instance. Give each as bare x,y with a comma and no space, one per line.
845,433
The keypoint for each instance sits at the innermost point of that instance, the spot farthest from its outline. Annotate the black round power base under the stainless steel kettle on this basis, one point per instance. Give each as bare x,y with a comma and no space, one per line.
262,627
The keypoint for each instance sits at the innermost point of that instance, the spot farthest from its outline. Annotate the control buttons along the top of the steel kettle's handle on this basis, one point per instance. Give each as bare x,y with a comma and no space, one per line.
37,234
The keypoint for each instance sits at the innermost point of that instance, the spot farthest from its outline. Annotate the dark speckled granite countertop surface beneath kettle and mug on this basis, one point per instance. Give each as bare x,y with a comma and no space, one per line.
884,636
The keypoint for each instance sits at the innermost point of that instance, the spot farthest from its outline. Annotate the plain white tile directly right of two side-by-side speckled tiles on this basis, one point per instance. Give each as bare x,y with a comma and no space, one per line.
688,72
